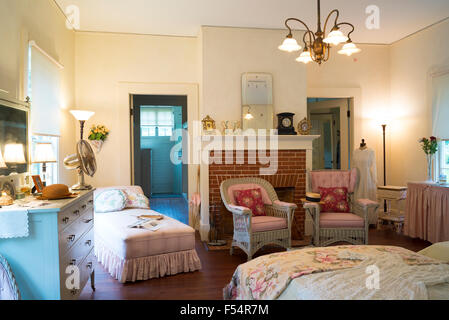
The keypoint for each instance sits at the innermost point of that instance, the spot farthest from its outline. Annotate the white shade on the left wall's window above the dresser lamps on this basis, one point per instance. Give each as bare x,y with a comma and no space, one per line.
44,91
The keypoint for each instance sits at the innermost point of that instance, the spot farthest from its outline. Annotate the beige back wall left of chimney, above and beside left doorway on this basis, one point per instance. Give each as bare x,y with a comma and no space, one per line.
104,64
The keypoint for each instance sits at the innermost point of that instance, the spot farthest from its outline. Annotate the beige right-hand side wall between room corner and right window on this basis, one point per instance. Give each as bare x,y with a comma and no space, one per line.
412,61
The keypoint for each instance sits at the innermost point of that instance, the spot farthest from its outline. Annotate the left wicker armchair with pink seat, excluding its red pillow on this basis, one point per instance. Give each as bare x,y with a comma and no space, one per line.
252,233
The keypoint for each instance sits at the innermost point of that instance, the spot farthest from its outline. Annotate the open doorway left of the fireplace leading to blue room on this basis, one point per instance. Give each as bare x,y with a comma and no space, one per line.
158,145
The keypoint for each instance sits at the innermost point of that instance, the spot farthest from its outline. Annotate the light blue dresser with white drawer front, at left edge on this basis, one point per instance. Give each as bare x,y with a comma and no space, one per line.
57,259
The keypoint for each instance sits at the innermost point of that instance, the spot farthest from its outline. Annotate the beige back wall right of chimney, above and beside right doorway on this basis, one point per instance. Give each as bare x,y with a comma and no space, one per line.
365,76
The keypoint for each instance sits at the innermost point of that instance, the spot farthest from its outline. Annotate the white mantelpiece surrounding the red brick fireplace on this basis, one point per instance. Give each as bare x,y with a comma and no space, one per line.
236,143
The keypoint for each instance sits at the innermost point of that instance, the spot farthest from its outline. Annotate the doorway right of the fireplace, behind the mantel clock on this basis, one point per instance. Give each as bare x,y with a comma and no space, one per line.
331,119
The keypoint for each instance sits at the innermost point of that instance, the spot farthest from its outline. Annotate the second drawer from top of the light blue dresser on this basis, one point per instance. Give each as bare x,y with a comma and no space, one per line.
70,235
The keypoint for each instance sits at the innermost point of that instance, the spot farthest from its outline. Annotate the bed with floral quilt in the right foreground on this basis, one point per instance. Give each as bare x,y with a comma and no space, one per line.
341,273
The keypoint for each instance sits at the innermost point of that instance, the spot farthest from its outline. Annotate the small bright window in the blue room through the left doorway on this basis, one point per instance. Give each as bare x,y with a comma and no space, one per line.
156,121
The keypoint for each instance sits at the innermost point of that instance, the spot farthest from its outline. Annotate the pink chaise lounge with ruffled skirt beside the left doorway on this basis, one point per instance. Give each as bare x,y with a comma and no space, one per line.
131,254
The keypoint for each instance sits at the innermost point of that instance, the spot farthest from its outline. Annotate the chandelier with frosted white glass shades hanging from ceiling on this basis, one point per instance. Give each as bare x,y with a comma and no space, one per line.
317,45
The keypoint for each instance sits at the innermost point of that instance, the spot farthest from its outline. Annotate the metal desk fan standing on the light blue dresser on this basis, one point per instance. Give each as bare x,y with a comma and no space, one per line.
84,162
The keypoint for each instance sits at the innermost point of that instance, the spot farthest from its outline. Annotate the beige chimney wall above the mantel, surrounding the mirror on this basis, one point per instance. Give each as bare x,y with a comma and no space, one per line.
227,53
